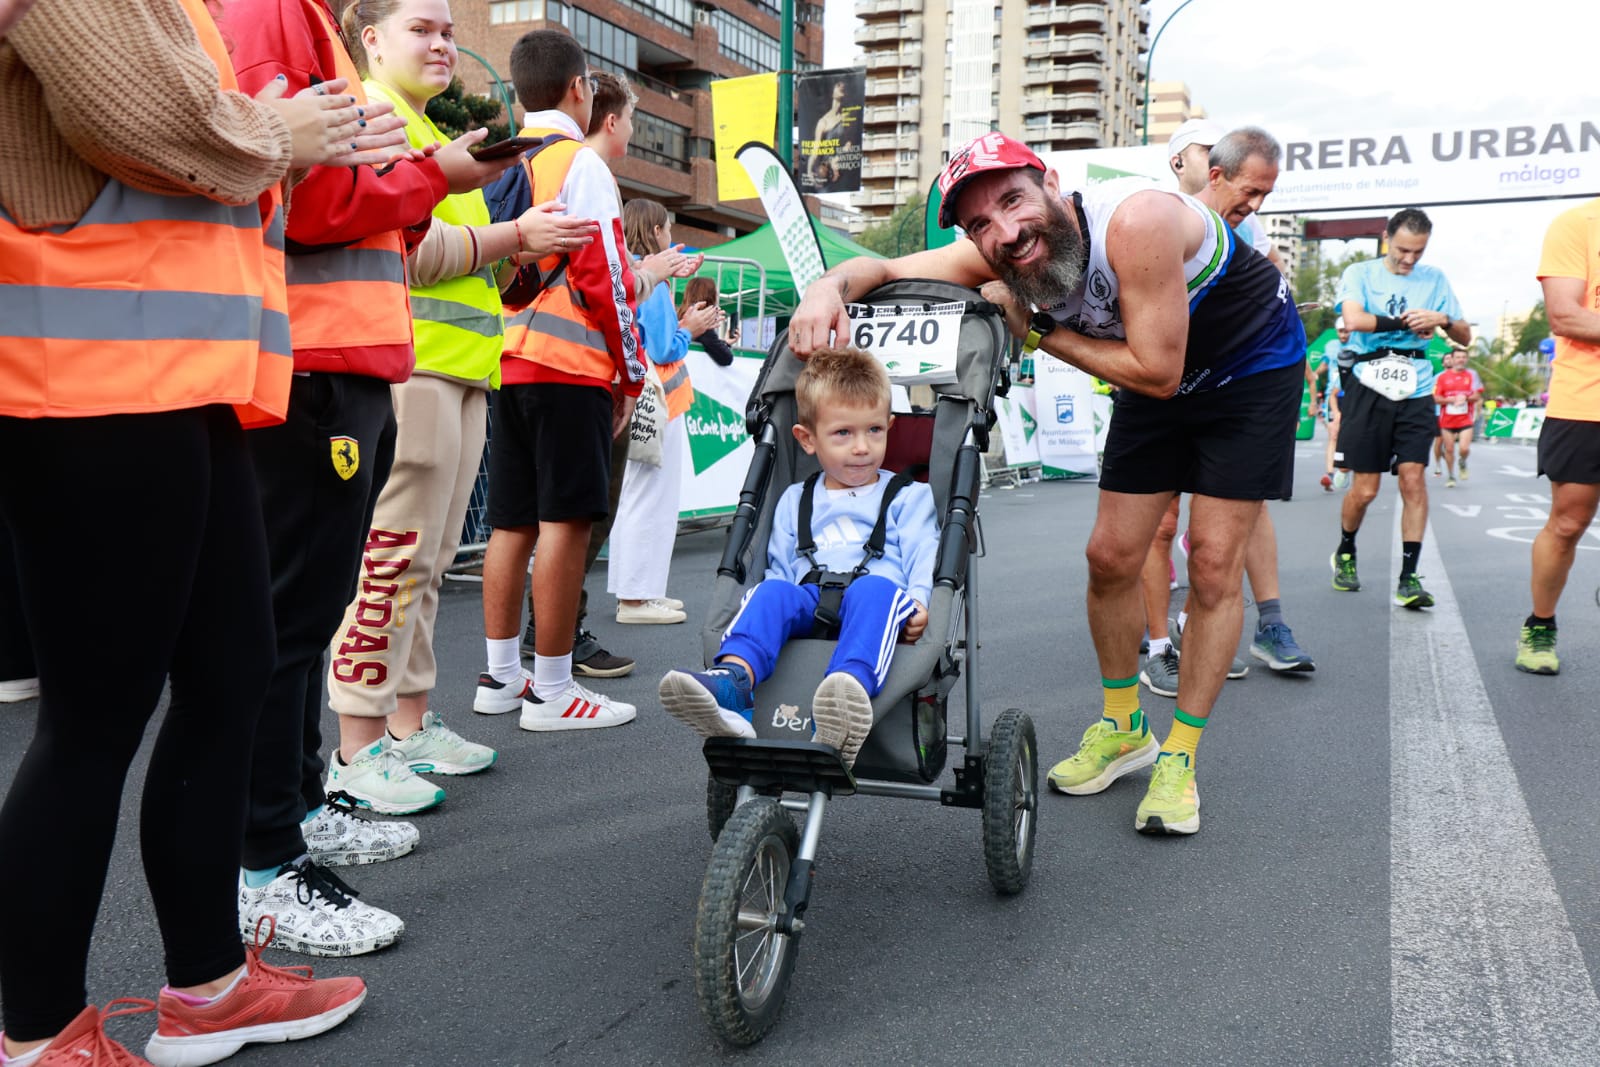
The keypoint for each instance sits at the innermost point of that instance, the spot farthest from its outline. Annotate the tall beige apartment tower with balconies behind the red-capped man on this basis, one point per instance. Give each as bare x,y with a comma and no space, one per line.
1058,76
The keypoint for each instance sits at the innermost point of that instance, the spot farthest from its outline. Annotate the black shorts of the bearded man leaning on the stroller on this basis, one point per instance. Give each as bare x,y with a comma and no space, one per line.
1236,442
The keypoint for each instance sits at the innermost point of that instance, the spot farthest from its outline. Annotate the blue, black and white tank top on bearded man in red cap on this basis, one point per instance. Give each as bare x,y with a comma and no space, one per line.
1242,319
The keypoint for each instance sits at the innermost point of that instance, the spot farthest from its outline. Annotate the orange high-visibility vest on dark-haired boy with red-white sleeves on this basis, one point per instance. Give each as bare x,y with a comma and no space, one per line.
556,332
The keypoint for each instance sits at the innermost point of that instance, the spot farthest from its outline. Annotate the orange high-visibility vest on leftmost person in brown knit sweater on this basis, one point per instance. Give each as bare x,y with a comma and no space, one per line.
148,303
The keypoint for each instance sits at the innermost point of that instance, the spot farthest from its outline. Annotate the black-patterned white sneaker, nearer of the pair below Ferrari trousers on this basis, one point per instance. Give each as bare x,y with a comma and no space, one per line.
316,914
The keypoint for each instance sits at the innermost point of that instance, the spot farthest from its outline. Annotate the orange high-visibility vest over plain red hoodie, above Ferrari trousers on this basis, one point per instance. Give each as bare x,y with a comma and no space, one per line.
351,297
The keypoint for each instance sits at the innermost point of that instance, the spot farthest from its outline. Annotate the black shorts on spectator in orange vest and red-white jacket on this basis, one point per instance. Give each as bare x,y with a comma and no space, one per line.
551,455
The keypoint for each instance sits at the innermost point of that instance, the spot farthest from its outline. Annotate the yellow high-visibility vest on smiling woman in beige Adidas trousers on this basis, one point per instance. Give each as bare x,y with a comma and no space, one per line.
457,322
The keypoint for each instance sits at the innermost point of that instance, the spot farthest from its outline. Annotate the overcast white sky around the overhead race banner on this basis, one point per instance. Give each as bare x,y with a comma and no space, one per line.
1318,70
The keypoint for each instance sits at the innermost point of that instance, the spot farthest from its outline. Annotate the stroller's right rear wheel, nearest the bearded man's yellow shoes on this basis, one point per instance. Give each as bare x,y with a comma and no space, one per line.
1010,801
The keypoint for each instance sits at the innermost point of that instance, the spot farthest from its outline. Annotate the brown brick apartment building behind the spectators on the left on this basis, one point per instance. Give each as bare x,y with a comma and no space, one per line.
671,50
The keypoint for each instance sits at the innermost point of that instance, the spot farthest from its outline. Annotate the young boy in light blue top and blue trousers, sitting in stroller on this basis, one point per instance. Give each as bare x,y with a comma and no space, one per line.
842,402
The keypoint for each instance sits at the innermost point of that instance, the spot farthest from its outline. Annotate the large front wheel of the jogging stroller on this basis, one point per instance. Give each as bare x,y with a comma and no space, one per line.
742,961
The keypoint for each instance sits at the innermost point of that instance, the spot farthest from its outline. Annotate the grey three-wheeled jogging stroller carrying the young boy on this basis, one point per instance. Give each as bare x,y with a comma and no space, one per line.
759,881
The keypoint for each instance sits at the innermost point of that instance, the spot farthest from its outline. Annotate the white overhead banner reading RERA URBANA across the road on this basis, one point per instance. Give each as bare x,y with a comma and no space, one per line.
1377,167
